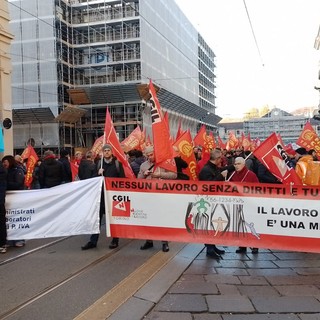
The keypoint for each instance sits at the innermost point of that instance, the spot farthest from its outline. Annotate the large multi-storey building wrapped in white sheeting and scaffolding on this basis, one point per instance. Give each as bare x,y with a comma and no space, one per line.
73,58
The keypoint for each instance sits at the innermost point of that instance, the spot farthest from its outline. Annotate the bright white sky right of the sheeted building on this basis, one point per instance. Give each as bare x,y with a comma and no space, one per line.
285,71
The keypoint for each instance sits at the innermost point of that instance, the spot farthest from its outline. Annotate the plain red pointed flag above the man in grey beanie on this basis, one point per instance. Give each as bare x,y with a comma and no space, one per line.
110,137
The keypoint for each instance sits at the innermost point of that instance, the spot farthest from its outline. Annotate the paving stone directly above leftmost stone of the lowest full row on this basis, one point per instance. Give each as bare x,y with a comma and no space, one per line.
202,287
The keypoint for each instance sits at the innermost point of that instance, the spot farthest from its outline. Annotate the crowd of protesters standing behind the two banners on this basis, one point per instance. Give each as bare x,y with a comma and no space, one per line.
221,165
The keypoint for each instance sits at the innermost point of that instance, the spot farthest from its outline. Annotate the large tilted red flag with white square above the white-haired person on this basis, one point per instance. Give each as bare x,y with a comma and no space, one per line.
272,155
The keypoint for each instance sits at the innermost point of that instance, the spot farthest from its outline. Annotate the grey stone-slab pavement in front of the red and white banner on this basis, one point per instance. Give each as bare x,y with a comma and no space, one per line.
270,285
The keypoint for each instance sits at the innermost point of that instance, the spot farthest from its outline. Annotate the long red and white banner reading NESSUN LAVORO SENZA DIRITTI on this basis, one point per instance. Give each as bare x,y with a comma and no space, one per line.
271,216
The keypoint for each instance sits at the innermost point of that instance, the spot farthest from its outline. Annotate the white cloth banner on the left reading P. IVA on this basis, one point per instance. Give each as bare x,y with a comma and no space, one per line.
65,210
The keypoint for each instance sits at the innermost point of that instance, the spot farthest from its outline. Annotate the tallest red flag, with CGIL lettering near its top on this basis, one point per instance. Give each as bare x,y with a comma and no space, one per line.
161,136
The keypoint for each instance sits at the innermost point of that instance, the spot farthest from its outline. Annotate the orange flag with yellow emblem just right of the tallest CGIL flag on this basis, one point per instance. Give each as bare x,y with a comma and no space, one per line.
184,144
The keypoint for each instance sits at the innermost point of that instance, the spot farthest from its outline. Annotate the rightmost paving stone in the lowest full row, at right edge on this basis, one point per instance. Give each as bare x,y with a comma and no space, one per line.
286,304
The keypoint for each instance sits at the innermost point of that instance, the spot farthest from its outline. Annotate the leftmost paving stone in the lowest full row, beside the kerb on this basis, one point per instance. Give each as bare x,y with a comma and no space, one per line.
182,303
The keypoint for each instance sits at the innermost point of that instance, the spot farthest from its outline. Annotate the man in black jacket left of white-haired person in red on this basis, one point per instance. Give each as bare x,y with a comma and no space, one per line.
212,171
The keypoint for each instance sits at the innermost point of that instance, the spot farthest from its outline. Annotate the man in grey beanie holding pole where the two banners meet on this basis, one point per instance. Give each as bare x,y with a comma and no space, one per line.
112,168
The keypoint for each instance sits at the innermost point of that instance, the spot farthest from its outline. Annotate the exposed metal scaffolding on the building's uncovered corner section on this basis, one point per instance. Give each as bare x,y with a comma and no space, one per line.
98,44
